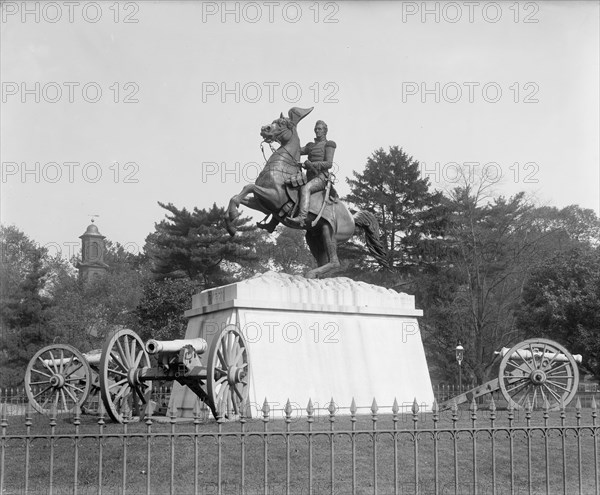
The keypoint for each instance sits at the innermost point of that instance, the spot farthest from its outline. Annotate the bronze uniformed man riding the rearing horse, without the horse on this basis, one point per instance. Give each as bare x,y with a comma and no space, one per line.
320,160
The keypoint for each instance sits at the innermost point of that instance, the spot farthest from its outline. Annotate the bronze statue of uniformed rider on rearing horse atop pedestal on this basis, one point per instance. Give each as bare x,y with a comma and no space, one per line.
304,200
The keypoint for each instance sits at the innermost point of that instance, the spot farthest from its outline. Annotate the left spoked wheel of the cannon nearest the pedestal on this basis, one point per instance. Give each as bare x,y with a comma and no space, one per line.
123,355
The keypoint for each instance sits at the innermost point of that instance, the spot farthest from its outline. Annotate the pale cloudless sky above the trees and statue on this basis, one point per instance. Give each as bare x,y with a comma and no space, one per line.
111,107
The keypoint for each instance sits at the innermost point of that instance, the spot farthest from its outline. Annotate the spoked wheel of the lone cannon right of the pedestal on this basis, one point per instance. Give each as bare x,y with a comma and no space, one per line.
535,377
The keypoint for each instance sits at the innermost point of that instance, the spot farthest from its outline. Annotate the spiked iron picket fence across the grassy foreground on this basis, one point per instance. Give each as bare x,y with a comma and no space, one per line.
306,451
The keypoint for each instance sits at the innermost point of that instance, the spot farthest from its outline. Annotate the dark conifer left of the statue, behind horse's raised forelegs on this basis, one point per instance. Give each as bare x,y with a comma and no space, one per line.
196,245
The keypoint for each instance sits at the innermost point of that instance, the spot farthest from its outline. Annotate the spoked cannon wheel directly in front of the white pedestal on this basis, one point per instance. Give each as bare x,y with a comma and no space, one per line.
228,372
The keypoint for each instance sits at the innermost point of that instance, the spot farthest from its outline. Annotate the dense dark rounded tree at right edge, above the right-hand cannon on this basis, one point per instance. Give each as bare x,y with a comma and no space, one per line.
561,301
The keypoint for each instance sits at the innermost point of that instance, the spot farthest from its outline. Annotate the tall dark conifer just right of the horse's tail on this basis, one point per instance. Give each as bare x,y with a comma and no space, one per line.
408,212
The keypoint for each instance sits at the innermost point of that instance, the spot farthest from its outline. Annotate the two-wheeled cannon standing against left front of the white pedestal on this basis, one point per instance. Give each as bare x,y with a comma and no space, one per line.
218,375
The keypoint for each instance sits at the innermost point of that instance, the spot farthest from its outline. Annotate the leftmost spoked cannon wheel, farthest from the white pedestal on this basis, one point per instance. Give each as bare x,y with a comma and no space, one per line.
57,377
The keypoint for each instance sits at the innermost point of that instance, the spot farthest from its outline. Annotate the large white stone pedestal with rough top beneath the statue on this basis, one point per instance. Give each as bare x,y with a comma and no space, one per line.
317,339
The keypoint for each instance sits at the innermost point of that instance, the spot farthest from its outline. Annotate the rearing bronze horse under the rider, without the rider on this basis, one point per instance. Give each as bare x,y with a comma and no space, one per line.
273,195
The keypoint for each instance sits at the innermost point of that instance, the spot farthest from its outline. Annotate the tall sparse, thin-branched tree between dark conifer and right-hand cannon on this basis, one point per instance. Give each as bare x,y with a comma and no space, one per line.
482,263
